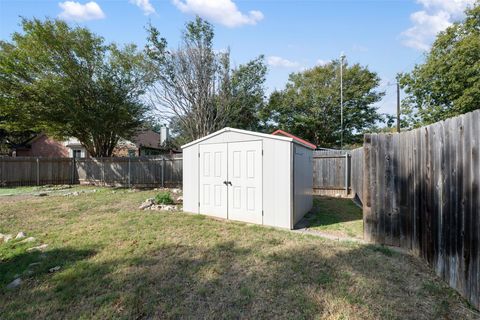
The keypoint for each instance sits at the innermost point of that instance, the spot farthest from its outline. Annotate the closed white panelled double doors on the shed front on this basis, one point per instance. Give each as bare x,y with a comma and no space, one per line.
231,180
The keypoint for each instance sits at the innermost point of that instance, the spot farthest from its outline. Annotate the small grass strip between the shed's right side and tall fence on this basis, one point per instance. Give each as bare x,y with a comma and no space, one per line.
340,217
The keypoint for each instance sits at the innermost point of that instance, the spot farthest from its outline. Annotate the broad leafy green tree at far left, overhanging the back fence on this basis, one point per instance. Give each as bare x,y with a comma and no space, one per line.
67,82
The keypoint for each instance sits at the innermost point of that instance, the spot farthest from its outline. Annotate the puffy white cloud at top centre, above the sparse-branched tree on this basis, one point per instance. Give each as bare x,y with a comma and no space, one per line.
221,11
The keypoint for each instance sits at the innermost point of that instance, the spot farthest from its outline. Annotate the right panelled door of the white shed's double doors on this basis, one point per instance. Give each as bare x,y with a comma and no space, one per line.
245,181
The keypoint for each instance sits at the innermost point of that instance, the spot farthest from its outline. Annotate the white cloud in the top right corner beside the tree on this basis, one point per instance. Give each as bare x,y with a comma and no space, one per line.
436,16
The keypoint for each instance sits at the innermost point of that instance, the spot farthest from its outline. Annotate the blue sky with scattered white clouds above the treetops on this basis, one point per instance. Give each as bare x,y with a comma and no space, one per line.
388,36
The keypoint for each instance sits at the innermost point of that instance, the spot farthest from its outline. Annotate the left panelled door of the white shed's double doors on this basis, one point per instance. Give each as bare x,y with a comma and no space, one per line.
213,174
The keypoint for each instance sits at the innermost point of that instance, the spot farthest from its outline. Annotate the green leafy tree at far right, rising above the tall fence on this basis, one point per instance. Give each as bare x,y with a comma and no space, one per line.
448,83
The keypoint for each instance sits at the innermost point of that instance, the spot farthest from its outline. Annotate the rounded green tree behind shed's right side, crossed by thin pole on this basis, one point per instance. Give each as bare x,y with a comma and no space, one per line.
309,106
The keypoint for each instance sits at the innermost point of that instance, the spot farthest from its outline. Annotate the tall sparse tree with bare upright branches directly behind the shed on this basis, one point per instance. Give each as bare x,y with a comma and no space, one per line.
196,88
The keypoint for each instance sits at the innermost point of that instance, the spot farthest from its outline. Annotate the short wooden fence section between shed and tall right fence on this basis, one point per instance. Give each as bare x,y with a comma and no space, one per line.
338,172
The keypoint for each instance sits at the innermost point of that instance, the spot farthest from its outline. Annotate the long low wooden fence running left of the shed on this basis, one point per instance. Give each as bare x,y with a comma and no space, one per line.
140,171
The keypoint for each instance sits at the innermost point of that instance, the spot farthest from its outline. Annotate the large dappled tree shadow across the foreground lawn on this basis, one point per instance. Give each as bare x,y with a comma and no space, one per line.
231,281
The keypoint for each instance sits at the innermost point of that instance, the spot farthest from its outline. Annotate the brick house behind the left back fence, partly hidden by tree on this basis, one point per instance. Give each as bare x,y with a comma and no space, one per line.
146,142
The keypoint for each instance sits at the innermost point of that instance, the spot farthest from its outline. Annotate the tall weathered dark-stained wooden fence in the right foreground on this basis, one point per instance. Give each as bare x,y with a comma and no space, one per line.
421,192
